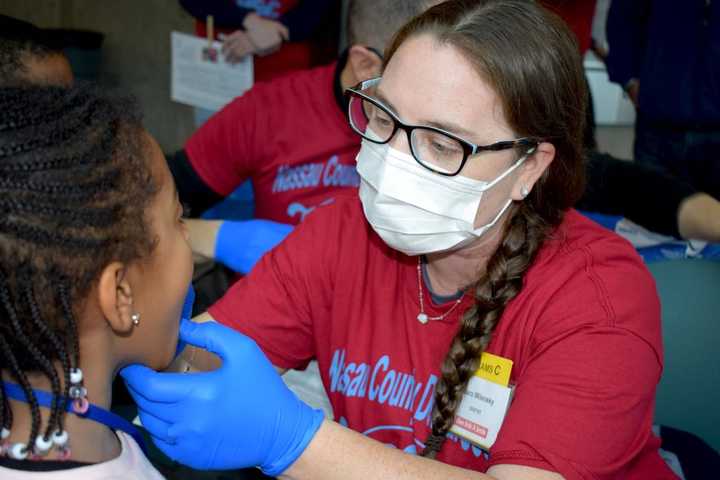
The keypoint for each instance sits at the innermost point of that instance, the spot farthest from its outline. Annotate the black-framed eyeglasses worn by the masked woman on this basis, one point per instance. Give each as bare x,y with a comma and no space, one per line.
434,148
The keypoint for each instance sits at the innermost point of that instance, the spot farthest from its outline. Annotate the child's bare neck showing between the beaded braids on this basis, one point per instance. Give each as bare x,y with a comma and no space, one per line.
89,441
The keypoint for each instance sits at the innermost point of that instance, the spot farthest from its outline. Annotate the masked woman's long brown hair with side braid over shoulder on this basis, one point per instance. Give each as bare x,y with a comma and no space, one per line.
531,60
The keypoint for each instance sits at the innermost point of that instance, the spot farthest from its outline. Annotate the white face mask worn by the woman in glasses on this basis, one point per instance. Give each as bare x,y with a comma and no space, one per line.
415,210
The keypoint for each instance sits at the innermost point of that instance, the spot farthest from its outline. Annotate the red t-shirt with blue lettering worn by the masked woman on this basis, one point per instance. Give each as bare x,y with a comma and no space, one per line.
584,335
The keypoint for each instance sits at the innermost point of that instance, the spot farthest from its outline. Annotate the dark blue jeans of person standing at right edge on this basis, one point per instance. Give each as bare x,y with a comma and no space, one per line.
690,155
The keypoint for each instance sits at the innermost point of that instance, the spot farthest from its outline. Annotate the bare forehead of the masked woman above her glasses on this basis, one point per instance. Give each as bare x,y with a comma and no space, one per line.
430,81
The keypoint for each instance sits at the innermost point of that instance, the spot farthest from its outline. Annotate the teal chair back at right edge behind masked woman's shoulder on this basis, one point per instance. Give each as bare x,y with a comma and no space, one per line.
688,396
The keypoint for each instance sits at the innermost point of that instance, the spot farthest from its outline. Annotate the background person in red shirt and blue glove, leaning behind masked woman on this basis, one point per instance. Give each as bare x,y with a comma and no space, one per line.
290,137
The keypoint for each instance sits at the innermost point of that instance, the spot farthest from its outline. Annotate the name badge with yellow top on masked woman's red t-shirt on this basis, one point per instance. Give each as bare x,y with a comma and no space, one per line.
485,402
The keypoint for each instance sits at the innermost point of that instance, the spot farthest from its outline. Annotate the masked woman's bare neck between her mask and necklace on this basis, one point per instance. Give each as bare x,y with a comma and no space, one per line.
452,271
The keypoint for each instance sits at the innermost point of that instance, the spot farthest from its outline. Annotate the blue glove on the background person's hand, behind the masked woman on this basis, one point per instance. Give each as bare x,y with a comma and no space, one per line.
240,244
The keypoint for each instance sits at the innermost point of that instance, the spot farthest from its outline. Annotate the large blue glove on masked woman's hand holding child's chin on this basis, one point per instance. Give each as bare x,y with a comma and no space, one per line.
240,415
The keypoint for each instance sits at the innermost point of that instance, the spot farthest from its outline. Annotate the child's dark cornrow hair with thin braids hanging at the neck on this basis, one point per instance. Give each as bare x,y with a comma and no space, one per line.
74,185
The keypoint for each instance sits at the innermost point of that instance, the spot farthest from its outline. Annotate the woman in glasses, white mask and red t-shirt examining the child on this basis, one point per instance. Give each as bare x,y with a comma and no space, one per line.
460,311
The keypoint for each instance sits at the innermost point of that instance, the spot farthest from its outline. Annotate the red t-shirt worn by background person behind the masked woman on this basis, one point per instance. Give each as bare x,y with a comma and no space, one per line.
290,137
